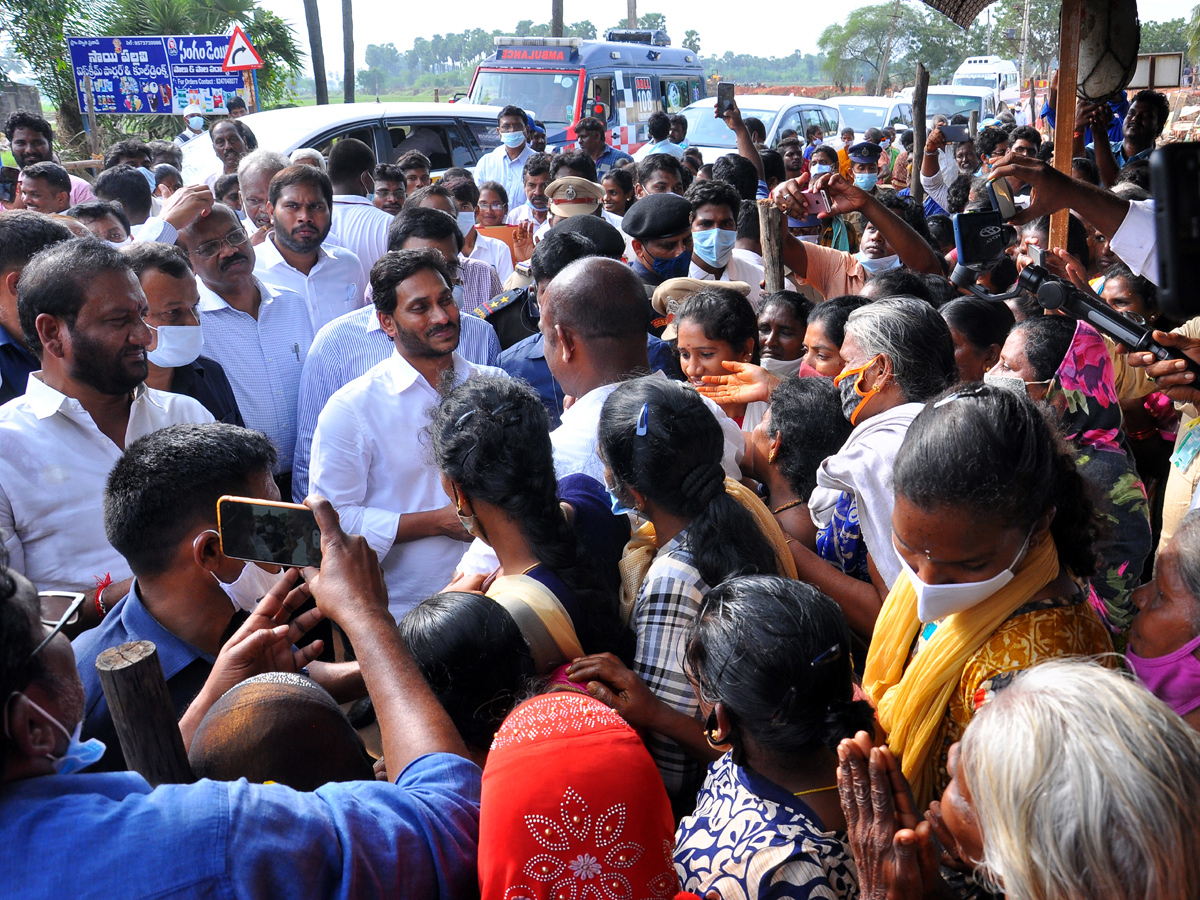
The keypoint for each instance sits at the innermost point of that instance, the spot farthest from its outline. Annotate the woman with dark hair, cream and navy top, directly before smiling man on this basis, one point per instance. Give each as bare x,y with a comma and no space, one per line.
491,443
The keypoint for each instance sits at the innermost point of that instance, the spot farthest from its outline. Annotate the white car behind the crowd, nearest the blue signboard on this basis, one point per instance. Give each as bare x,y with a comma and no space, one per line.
449,134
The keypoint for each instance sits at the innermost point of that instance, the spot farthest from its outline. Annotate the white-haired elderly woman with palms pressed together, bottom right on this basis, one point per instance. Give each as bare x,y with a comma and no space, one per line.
1072,784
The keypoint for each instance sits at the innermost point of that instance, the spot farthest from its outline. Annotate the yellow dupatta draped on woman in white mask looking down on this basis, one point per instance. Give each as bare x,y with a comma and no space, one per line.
911,701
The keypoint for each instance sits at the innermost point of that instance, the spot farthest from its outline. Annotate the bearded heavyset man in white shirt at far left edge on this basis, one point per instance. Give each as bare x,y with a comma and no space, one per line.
82,314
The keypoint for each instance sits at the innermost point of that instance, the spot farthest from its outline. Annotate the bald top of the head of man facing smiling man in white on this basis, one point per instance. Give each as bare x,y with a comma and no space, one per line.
599,299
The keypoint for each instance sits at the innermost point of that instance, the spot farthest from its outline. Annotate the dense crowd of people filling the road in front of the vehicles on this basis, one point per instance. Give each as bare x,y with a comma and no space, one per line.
635,580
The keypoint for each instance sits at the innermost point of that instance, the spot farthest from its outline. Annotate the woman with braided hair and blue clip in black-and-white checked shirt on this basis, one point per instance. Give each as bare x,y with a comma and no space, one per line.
662,448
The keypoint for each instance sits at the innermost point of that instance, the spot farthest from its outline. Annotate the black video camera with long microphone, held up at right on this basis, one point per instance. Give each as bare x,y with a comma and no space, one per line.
982,243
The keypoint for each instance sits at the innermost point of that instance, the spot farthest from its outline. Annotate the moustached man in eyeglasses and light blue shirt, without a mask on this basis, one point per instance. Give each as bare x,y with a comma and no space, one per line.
259,334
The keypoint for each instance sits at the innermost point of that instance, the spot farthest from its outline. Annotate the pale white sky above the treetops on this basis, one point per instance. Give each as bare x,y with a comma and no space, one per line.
385,21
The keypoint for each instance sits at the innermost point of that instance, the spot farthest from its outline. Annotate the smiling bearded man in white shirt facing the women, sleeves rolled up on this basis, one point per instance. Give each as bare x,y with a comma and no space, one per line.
368,454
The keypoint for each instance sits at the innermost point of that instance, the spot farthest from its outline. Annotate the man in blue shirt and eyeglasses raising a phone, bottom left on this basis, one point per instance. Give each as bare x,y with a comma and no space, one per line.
412,836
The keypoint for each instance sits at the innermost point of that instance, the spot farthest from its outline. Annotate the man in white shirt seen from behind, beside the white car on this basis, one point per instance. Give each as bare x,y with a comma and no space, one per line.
358,226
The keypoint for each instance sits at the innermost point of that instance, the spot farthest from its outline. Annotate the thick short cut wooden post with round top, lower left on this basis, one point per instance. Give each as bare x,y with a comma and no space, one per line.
143,715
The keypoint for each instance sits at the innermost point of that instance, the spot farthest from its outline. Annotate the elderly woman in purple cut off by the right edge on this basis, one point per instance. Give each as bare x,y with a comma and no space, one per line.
1165,637
